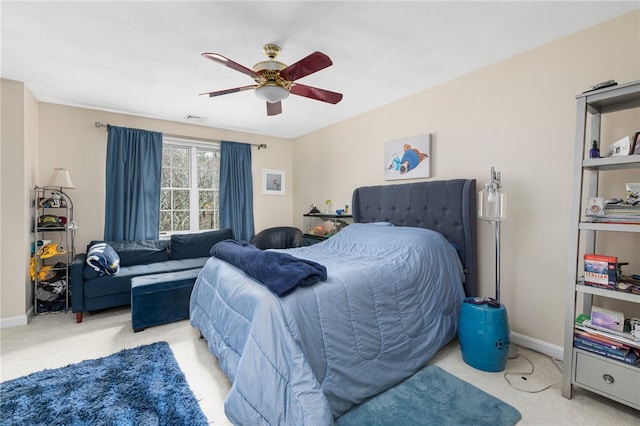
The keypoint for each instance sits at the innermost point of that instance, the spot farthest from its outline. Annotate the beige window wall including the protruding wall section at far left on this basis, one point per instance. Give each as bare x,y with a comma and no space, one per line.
37,137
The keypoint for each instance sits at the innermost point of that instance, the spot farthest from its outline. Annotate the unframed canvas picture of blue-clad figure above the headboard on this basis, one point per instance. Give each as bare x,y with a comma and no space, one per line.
408,158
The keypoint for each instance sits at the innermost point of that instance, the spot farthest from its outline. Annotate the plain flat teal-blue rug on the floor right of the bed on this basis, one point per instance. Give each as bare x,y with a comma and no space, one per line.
431,397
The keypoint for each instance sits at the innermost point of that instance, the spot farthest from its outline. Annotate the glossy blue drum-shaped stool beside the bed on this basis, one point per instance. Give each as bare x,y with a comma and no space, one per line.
483,332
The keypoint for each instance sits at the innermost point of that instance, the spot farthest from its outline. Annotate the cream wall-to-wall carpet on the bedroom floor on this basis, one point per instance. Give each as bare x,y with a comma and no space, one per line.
55,340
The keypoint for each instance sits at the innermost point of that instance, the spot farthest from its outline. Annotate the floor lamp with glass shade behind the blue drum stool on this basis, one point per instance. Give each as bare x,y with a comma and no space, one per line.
492,207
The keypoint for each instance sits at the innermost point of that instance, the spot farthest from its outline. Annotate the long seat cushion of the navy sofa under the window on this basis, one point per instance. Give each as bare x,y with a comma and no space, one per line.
121,283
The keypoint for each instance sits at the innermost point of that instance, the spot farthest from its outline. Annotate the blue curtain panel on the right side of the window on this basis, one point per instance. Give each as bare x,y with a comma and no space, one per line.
236,189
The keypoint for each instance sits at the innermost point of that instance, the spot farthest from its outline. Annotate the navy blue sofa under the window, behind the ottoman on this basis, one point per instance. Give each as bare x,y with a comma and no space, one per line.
91,291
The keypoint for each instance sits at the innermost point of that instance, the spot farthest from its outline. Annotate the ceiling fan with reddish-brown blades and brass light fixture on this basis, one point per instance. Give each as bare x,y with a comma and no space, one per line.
275,80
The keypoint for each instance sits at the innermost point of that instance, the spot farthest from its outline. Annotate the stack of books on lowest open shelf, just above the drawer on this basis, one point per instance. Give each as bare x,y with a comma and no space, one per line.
619,345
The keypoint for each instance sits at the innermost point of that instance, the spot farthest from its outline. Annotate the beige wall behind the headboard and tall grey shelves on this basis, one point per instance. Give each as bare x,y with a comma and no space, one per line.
519,116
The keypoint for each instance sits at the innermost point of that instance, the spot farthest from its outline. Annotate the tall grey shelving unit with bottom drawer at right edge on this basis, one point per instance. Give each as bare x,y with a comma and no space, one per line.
611,378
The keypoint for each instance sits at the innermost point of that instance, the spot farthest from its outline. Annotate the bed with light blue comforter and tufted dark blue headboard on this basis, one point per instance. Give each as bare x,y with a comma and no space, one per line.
395,283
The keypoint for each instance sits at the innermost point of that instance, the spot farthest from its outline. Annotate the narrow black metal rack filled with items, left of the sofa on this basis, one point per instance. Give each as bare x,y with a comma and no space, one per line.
53,224
